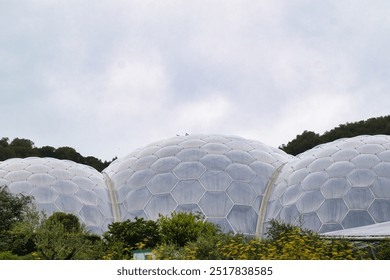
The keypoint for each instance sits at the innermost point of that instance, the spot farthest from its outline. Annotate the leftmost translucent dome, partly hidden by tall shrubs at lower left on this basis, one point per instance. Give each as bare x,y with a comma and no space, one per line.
61,186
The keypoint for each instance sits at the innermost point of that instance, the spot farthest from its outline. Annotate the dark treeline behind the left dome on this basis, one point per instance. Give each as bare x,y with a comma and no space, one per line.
22,148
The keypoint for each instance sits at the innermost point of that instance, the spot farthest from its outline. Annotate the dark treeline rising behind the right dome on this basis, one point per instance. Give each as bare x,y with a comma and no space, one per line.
310,139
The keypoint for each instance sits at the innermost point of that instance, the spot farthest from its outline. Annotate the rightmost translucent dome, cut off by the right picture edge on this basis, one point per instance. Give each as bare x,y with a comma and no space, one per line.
339,185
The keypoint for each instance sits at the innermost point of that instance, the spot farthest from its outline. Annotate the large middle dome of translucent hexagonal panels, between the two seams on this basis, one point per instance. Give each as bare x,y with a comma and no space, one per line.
223,177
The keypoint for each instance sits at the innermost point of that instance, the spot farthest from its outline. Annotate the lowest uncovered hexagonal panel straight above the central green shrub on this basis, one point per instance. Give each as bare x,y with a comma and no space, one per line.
187,192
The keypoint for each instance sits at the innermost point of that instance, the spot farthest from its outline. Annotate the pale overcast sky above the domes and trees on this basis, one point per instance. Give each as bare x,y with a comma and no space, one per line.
107,77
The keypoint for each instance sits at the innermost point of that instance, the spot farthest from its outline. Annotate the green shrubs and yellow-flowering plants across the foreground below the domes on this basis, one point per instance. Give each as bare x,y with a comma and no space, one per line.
28,234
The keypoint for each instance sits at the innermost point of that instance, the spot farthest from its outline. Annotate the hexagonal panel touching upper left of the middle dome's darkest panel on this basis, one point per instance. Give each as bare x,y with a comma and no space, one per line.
215,204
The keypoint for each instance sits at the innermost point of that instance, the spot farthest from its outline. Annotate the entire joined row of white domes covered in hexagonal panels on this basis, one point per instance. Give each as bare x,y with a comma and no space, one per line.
230,180
